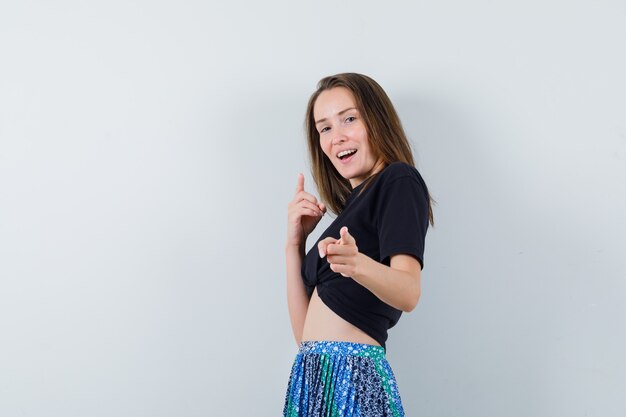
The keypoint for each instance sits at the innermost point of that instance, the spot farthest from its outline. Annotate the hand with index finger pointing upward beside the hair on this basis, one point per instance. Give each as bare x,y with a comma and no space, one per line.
303,214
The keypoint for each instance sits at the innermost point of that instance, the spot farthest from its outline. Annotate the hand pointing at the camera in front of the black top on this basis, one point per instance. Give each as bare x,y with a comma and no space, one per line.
343,254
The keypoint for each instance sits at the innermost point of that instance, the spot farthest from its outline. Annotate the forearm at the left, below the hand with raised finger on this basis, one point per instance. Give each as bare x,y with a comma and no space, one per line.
297,298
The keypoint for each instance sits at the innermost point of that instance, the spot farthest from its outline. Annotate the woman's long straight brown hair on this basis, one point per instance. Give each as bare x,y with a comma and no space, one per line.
384,132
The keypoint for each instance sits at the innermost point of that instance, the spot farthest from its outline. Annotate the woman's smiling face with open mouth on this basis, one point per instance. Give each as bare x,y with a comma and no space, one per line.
343,137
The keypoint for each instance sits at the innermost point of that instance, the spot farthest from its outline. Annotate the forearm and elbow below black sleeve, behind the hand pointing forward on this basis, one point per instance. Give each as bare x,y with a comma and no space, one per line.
398,285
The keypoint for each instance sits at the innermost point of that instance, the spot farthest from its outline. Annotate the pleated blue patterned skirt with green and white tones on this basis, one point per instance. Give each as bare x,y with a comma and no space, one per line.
341,379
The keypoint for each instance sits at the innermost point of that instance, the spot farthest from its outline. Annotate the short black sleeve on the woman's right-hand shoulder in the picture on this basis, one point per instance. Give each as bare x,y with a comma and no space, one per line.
402,218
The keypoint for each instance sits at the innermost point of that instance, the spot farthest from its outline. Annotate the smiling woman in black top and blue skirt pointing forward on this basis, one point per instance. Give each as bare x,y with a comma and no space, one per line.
354,283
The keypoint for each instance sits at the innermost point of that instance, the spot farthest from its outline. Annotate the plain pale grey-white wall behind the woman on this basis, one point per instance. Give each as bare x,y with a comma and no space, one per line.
148,151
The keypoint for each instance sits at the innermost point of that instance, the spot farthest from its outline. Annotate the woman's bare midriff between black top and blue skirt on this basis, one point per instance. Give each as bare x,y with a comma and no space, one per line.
322,323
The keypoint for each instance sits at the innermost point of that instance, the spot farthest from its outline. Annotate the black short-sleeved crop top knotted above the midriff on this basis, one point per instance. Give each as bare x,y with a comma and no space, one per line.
389,217
